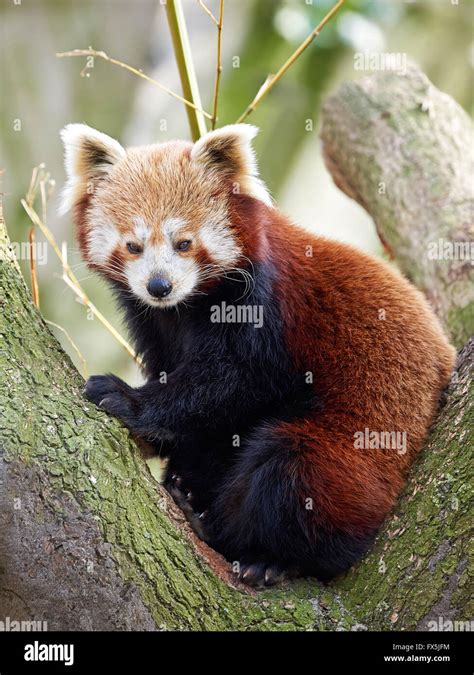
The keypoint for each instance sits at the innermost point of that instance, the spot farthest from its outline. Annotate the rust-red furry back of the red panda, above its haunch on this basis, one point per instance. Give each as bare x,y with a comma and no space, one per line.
377,353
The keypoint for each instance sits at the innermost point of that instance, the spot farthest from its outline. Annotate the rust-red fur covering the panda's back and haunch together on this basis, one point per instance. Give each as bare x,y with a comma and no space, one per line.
371,373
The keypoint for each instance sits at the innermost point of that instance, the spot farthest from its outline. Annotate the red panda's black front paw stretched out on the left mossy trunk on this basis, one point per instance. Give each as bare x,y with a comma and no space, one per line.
114,396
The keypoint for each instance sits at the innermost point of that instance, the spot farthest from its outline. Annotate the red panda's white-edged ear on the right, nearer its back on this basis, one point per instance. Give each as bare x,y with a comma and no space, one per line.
228,151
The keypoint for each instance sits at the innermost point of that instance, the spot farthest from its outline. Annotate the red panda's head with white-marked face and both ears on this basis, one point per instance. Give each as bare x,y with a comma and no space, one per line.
158,219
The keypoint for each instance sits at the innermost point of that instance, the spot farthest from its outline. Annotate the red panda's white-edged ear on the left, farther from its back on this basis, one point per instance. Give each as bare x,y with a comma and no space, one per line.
88,156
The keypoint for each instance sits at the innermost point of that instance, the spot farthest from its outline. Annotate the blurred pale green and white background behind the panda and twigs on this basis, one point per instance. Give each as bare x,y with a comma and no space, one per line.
41,93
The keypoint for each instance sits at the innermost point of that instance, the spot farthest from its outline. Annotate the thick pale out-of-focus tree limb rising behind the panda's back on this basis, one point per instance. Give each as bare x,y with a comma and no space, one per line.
403,150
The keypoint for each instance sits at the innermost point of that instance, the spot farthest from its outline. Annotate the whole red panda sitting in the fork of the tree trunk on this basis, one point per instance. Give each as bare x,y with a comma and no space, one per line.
302,375
